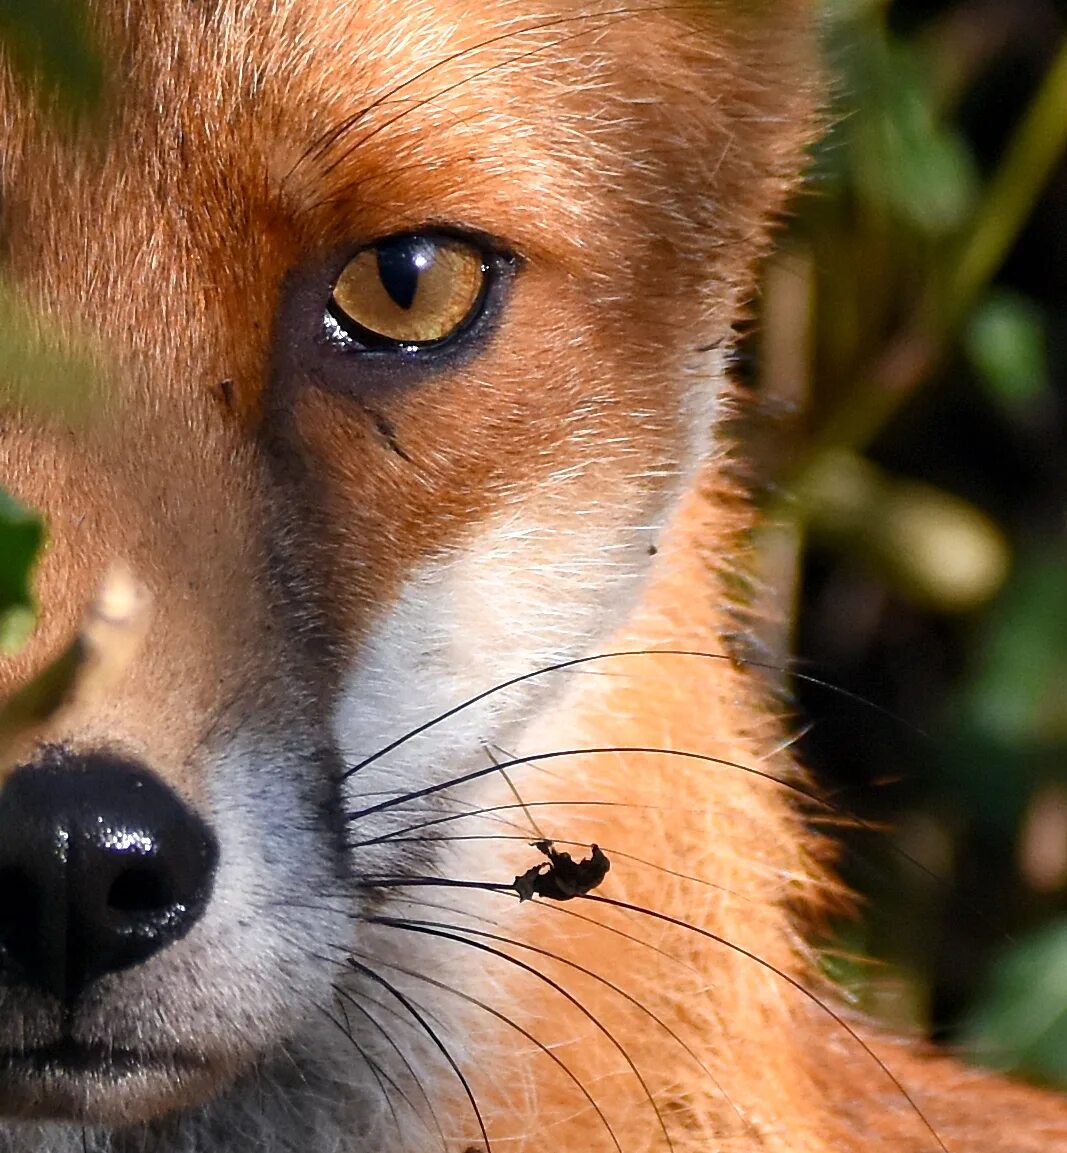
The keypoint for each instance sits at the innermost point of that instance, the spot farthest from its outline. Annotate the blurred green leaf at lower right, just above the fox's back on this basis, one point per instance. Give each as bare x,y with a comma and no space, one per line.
1021,1024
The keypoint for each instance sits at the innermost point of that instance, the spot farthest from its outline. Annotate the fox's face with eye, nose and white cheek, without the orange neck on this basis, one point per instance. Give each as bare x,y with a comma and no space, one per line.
412,326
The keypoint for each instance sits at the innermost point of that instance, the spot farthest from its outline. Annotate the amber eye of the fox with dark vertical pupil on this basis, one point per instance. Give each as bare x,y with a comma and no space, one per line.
409,292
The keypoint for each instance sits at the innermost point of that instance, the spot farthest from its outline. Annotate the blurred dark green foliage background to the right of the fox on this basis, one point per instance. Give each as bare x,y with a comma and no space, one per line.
910,331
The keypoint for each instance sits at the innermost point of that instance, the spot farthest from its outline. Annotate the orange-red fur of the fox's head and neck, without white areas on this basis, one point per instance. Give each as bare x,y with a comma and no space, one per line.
635,161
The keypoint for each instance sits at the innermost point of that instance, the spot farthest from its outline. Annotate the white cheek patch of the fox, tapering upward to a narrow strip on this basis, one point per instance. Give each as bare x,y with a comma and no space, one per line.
539,584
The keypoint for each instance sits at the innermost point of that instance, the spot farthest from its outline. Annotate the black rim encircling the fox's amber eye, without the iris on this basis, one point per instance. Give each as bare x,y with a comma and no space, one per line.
352,338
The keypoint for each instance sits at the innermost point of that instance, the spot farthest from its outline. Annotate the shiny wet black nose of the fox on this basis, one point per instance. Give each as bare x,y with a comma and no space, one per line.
101,868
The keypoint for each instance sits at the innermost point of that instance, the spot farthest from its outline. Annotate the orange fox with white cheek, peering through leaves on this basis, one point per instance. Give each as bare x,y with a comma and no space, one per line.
431,809
